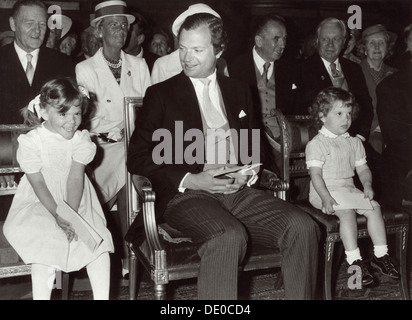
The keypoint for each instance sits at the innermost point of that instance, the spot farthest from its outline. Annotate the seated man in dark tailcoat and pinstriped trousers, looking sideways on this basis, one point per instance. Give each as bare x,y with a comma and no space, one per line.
218,214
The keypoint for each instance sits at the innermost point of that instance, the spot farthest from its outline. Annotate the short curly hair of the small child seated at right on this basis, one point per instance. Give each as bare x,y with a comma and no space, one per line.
324,100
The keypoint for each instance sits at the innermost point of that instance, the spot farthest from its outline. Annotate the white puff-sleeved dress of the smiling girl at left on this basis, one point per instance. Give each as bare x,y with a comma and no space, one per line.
30,227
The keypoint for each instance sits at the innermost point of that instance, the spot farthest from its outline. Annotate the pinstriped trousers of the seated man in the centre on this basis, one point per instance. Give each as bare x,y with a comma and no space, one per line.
224,225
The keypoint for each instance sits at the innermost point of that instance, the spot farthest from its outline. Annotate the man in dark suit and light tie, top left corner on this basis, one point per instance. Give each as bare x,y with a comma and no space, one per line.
29,22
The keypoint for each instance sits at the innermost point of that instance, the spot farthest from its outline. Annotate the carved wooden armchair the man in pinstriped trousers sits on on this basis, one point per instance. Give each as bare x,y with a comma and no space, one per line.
165,254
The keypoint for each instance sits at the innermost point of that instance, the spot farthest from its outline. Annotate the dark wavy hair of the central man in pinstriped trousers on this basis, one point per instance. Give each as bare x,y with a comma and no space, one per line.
215,25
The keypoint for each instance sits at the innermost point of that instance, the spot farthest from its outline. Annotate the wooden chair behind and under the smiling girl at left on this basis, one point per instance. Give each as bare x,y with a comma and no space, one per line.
11,264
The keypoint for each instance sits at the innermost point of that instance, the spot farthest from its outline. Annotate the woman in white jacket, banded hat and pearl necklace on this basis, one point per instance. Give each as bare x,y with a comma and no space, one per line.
111,75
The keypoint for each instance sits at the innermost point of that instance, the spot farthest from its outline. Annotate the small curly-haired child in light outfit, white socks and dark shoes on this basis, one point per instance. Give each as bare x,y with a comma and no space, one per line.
332,157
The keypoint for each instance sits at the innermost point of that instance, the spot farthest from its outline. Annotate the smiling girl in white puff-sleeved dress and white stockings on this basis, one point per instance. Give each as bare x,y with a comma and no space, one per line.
53,156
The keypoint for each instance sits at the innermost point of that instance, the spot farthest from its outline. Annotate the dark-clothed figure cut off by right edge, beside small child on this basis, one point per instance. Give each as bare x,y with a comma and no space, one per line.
394,98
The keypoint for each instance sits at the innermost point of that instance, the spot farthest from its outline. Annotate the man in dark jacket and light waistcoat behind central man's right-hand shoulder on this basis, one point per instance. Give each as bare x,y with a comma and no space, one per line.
271,81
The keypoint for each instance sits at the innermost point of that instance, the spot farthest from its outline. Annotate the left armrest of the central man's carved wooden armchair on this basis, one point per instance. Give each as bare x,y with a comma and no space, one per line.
147,196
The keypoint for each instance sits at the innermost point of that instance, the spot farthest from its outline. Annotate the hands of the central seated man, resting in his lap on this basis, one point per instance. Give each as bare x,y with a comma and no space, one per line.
206,181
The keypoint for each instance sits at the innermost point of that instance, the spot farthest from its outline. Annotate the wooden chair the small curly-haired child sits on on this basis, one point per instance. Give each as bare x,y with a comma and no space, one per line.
300,129
